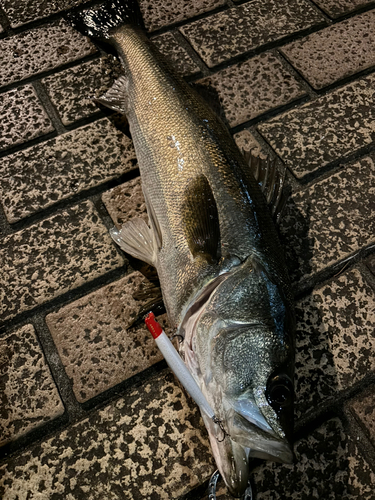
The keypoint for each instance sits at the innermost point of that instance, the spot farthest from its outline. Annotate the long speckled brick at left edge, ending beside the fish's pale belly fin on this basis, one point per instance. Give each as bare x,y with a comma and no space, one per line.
52,257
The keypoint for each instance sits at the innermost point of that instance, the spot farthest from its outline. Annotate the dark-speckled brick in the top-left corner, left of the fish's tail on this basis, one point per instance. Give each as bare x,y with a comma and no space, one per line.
24,11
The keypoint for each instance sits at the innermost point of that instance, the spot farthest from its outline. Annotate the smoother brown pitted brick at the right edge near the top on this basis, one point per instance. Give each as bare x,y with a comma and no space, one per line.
335,52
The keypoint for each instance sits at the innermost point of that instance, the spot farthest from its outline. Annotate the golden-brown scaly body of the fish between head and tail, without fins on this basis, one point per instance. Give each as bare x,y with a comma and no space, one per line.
185,122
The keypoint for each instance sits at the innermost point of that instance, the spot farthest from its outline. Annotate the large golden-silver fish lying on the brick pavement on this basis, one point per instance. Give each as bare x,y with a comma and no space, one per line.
213,240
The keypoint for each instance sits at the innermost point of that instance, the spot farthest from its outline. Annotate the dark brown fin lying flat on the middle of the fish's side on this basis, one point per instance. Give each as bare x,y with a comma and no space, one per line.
201,220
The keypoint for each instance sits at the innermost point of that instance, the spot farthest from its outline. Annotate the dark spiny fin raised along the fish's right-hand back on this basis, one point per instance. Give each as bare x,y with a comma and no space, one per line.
271,182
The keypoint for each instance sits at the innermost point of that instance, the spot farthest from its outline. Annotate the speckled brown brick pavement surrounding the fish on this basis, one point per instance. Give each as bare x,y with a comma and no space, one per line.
88,408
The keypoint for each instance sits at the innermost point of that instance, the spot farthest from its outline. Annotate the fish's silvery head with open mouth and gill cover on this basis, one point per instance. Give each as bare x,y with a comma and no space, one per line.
242,355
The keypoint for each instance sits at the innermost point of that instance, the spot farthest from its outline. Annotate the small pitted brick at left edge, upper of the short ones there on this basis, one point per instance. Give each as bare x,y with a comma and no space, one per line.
22,117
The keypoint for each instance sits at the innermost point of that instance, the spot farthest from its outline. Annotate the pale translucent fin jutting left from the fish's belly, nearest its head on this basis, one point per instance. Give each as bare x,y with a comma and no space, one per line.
137,239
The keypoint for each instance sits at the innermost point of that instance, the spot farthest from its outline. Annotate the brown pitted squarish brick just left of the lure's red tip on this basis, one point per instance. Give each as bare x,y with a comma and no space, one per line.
95,342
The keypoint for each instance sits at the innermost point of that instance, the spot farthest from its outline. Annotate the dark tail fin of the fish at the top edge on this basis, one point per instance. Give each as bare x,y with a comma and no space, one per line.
98,22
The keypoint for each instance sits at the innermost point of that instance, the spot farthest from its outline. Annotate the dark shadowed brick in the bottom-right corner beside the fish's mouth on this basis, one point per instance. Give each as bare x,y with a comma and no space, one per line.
328,465
